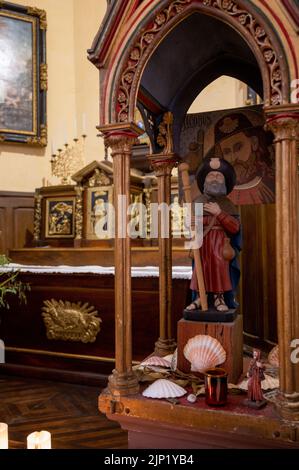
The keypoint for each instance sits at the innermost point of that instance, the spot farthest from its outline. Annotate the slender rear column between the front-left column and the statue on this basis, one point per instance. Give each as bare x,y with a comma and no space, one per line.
163,166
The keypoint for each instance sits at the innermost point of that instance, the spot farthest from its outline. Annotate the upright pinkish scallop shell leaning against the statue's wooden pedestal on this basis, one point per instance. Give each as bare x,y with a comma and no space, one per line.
204,352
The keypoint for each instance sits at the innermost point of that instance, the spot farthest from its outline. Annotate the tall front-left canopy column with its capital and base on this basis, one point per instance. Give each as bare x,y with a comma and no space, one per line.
120,139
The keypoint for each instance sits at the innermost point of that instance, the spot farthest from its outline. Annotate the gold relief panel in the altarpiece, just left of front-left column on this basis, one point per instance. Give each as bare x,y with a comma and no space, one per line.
100,216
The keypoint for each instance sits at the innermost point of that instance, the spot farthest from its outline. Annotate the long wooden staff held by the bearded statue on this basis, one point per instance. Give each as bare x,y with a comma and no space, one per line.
184,169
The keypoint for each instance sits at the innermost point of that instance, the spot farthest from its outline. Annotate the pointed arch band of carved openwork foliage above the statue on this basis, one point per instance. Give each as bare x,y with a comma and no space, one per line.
176,8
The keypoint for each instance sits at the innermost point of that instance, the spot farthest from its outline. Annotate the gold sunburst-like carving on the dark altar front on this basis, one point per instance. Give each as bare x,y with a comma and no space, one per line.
67,321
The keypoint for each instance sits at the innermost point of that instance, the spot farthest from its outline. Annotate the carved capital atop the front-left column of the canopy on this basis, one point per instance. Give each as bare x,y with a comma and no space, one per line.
120,137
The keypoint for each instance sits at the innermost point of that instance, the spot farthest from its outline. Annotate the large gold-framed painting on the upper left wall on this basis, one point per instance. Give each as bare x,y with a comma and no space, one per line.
23,75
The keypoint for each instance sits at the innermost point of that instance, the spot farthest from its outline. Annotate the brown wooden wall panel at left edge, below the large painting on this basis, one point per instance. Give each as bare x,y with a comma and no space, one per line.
16,220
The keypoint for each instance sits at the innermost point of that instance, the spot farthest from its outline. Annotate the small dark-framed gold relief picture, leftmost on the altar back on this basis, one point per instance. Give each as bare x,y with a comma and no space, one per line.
60,217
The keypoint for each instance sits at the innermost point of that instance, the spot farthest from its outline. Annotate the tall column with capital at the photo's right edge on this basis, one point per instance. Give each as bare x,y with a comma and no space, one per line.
284,123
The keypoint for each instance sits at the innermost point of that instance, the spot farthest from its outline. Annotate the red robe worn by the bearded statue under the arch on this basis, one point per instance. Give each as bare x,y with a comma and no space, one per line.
215,267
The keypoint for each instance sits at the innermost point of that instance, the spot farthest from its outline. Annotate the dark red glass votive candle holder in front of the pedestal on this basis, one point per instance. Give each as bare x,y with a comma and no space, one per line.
216,387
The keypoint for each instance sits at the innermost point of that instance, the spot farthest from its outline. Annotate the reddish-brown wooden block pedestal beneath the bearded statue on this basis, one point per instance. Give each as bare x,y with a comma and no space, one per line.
230,335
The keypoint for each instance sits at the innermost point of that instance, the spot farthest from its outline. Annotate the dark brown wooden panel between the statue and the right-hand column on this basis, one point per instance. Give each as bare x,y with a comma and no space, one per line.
258,283
